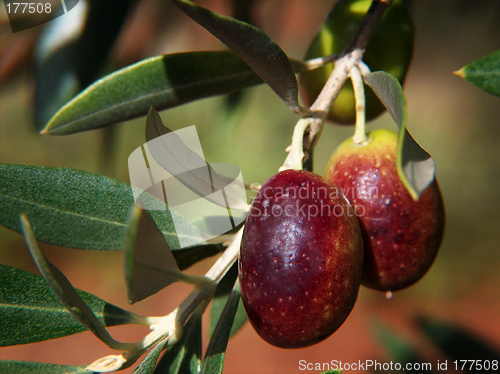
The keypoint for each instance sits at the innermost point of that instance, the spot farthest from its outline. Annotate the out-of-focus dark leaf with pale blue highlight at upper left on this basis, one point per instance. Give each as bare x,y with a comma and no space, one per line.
71,50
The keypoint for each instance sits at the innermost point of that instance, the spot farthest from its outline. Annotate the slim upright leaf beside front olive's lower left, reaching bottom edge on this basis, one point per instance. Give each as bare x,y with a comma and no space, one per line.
216,351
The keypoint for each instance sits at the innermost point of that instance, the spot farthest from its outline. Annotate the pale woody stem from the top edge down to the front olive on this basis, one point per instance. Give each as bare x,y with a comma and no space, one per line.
352,55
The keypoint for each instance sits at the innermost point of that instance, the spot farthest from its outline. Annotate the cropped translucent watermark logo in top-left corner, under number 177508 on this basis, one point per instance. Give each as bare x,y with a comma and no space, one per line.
25,15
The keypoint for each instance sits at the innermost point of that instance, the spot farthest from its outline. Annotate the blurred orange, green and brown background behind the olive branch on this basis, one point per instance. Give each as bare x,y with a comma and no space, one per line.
454,121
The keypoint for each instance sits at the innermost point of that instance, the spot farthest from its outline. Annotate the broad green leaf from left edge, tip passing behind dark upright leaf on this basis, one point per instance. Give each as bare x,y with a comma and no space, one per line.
77,209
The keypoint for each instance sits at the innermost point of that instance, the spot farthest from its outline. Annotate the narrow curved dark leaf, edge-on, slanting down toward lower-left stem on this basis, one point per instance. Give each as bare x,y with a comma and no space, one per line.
63,289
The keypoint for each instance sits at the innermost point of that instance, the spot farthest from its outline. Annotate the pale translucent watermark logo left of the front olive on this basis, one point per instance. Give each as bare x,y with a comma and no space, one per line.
170,173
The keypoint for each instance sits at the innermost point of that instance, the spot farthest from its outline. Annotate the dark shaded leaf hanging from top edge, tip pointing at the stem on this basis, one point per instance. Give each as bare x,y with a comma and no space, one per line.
264,56
